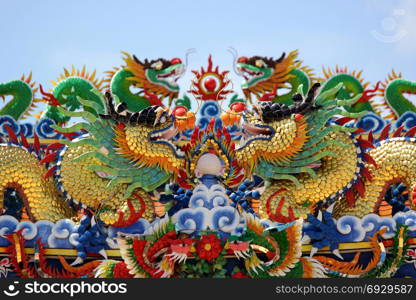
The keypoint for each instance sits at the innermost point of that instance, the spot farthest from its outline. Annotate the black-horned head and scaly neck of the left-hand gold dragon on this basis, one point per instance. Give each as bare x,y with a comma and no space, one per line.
145,137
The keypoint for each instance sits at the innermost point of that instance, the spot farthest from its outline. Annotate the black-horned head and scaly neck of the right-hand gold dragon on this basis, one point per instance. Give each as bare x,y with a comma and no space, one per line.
274,132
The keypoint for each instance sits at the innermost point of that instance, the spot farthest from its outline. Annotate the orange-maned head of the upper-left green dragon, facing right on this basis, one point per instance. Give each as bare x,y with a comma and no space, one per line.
158,76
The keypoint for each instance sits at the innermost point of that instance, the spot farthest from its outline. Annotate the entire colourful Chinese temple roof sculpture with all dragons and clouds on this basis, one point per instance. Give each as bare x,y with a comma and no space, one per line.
290,165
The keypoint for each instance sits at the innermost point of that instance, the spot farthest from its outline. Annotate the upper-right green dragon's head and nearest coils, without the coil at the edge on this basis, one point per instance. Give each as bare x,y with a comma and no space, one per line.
264,77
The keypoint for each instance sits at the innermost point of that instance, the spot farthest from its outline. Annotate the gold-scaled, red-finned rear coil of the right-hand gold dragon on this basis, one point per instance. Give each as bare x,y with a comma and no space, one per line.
393,160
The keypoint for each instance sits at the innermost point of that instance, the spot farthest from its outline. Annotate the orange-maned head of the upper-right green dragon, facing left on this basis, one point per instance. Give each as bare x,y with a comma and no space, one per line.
262,74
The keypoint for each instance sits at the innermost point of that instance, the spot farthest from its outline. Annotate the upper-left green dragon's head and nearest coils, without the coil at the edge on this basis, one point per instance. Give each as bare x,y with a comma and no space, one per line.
155,78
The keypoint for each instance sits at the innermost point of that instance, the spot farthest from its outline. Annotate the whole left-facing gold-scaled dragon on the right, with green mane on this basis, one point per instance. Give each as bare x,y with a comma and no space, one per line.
310,158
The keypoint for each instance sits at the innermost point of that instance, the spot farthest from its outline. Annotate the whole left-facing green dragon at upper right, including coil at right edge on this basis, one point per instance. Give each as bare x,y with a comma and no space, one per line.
265,77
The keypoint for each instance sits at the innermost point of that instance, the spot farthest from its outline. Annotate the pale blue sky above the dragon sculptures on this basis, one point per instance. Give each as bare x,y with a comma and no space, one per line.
45,36
